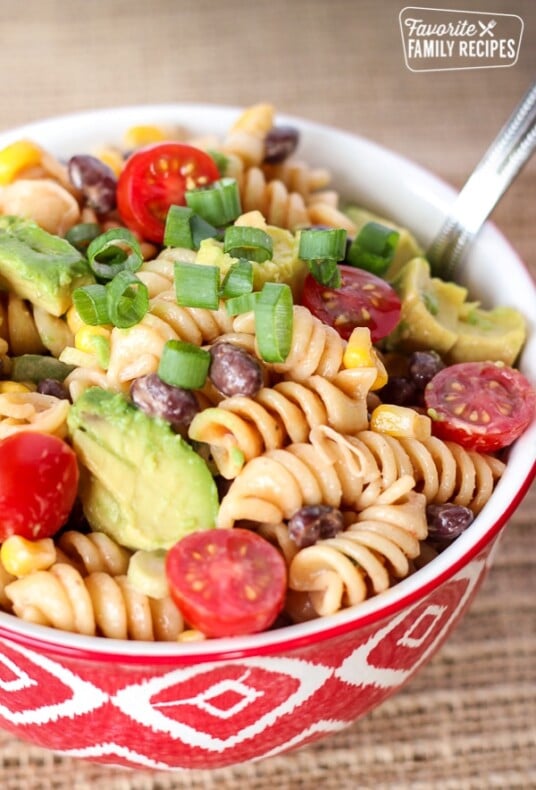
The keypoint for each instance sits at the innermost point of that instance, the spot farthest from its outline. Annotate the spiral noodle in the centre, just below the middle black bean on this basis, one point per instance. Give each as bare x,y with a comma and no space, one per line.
280,415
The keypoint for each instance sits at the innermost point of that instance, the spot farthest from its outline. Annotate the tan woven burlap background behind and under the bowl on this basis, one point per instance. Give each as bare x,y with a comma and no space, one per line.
469,719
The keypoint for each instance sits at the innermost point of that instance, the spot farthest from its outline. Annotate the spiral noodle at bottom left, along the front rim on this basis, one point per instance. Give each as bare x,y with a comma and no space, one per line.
97,604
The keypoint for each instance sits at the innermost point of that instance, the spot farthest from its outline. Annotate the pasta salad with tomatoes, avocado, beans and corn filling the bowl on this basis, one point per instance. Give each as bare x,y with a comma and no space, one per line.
228,400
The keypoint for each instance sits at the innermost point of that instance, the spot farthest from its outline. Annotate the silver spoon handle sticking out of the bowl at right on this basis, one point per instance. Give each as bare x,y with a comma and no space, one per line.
508,153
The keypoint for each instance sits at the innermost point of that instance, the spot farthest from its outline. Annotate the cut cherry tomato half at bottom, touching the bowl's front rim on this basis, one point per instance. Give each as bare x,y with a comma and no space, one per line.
227,582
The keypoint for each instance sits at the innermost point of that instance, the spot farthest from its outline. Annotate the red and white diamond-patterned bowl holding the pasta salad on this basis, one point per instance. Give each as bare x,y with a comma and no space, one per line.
176,706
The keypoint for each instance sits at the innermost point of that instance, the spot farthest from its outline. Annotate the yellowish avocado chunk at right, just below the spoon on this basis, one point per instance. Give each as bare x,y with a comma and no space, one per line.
436,314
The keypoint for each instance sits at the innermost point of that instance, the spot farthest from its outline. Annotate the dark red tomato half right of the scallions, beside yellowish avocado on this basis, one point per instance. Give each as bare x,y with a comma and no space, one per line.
362,299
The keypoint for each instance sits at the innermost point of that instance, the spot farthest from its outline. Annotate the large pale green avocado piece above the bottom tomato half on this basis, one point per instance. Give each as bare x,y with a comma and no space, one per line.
140,483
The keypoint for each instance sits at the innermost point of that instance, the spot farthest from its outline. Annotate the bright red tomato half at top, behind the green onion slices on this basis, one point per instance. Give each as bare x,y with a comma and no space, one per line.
156,177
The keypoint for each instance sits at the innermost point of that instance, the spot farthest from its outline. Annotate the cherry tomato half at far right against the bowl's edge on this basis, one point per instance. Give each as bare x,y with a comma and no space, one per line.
481,405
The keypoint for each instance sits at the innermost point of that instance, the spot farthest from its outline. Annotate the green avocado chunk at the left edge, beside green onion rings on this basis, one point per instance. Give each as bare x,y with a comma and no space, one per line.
38,266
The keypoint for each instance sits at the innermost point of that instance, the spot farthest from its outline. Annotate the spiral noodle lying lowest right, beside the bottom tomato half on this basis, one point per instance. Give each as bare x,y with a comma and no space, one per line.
365,558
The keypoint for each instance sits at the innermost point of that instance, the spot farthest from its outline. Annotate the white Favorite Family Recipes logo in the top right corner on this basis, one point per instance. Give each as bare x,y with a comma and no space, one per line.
438,39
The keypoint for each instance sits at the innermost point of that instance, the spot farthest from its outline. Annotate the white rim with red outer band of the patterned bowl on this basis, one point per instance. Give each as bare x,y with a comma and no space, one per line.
376,609
